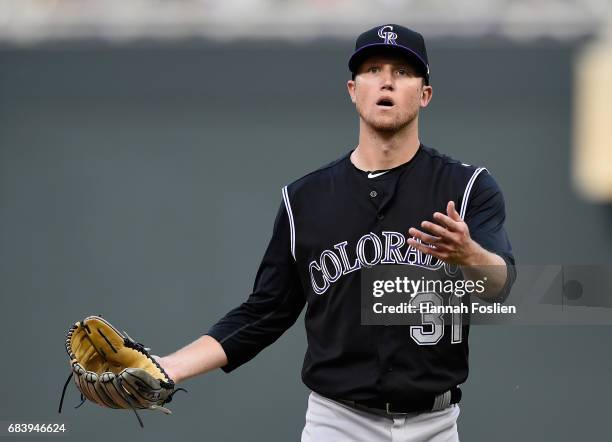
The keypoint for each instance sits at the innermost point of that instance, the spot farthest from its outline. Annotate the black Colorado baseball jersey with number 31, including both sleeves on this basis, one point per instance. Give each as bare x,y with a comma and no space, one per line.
333,223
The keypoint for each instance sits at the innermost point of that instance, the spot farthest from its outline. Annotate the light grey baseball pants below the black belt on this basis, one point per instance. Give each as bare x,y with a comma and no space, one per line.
328,420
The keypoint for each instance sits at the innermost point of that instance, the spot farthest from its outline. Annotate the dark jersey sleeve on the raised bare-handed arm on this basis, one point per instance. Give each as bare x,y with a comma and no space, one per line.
485,217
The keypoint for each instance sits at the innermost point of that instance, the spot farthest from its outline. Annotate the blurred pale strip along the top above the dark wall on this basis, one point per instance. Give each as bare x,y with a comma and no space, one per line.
36,20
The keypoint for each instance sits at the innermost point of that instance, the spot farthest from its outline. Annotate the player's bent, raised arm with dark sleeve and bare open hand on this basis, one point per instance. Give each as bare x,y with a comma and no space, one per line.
478,243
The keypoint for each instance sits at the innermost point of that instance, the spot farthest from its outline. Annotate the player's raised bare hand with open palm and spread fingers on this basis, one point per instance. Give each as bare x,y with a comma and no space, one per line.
448,239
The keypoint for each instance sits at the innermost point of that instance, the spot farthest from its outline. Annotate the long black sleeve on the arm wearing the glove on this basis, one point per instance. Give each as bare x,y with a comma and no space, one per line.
274,305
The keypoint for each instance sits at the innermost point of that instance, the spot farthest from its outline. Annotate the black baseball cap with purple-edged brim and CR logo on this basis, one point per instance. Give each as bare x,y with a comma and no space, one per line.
391,38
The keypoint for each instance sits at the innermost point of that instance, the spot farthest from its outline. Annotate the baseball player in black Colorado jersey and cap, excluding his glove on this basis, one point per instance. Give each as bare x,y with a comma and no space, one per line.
390,200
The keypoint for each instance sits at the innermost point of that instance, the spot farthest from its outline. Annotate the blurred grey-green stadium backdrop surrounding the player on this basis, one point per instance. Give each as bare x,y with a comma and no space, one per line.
143,145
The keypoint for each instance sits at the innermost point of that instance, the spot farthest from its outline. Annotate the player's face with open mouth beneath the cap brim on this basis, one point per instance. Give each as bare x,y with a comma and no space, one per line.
388,92
